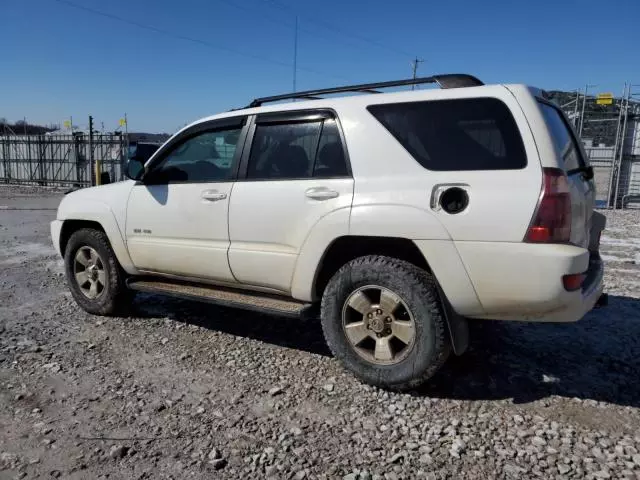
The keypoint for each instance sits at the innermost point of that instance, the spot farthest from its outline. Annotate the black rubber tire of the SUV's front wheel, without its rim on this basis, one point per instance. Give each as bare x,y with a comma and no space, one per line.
114,297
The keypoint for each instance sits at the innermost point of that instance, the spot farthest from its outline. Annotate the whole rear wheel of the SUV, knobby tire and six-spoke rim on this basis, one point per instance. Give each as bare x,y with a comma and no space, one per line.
382,318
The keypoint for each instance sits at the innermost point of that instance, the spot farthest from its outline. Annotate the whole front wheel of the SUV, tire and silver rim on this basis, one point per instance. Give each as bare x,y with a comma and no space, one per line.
94,276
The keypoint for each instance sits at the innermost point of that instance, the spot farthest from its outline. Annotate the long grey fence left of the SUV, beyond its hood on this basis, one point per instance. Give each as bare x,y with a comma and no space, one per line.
61,159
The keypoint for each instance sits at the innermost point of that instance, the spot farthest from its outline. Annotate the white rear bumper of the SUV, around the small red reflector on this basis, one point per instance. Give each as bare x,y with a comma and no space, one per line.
524,281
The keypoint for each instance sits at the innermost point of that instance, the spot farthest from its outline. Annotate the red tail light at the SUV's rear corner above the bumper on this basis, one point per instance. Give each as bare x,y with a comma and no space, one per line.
552,220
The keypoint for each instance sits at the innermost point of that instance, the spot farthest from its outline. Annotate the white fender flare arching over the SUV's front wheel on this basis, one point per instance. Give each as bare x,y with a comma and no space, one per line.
97,211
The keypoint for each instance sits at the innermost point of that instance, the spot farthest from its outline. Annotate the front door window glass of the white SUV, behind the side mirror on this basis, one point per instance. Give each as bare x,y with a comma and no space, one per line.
206,157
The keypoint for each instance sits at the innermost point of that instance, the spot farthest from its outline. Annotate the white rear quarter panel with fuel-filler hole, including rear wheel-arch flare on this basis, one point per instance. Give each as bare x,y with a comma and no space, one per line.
393,191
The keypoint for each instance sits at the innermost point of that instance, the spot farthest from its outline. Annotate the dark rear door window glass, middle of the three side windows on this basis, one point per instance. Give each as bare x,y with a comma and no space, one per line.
297,150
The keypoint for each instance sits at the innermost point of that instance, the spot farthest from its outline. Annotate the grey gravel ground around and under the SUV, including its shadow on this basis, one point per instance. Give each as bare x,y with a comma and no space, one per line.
187,390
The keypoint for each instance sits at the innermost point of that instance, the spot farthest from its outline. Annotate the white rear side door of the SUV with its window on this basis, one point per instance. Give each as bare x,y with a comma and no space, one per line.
294,172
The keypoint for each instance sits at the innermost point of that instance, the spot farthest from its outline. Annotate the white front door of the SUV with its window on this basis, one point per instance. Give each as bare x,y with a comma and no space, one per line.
177,217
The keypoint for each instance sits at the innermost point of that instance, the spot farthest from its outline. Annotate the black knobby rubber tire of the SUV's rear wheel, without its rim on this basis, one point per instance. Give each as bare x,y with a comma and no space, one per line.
417,289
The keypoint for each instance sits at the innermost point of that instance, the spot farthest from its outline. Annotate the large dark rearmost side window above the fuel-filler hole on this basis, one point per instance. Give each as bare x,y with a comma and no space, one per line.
461,134
